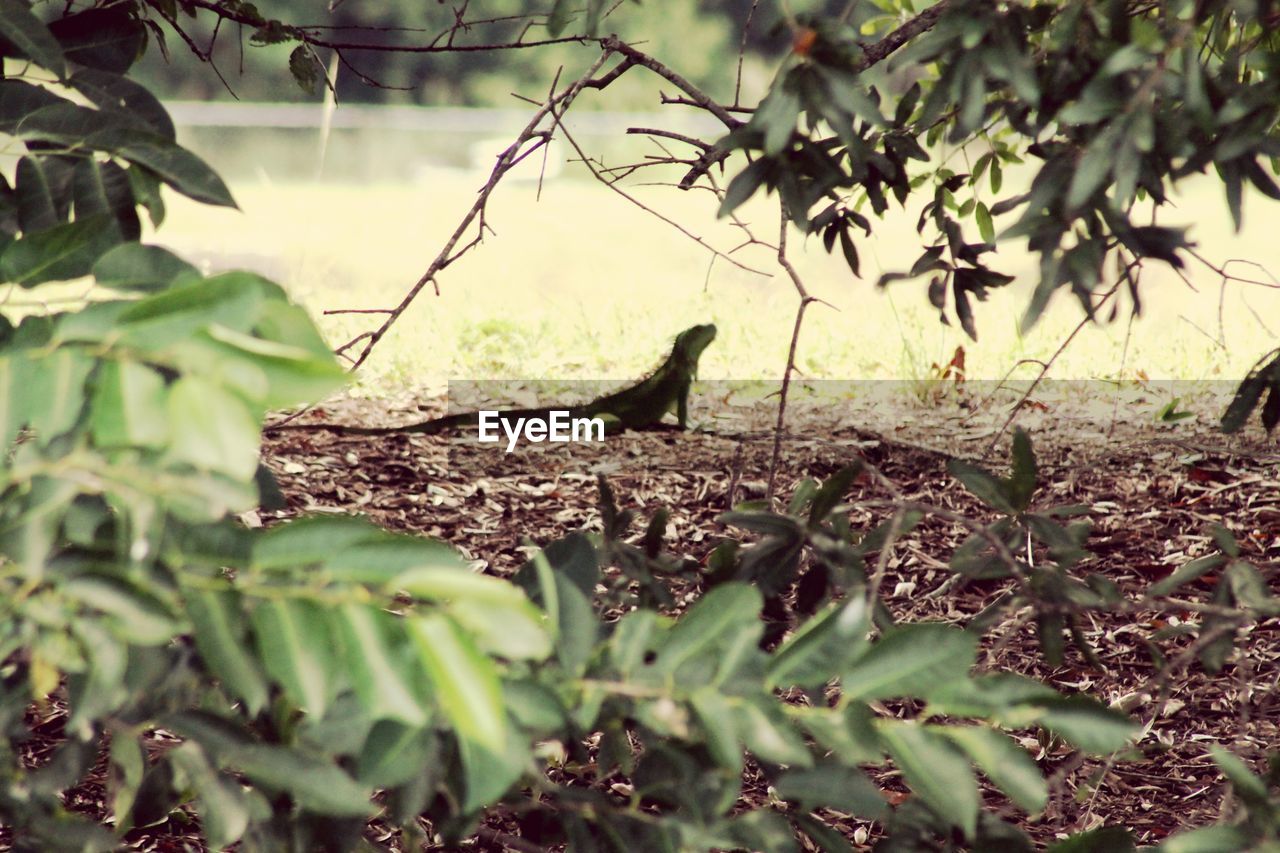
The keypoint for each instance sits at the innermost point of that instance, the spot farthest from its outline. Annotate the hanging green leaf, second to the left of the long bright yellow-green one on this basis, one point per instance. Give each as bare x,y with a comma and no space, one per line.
296,650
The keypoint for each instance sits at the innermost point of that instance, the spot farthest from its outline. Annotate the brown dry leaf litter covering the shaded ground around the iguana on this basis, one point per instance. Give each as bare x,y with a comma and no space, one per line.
1154,487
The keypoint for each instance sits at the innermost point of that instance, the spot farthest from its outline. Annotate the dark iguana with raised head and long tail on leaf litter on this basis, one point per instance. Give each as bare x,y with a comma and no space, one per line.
642,405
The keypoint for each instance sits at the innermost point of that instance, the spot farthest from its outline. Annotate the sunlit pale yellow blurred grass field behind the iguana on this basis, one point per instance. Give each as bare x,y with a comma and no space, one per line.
582,284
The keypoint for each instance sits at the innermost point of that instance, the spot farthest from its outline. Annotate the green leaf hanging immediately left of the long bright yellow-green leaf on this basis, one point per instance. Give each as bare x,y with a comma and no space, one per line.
376,663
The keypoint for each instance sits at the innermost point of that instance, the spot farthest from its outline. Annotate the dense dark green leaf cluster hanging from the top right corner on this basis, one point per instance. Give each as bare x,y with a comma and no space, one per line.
1117,101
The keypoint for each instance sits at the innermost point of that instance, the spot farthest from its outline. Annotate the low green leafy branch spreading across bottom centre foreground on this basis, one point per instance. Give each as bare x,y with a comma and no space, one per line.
678,706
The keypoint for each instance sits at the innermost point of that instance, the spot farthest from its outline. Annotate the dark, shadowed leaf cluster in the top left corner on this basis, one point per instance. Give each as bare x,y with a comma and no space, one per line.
90,162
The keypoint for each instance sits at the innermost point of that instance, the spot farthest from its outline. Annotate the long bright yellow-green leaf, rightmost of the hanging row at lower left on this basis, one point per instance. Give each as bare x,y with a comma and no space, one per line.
468,691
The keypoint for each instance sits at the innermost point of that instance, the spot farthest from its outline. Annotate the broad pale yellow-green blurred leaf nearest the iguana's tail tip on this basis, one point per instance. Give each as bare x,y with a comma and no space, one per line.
213,430
